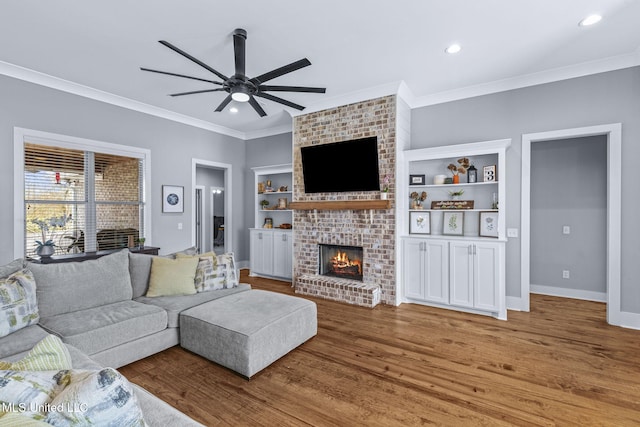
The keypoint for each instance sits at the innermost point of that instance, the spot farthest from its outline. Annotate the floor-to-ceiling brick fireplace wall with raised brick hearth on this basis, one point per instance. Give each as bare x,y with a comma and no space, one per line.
372,231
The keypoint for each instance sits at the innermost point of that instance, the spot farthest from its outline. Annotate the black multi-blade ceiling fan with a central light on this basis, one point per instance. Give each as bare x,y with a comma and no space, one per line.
239,87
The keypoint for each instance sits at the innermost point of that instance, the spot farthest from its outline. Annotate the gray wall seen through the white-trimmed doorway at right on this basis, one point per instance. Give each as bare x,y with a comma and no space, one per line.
569,188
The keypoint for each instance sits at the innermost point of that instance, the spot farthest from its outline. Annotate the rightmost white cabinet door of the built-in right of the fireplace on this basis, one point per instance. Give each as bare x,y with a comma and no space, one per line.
486,267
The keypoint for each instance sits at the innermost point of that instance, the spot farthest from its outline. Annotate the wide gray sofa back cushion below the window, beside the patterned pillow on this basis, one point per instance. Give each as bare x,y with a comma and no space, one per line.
71,286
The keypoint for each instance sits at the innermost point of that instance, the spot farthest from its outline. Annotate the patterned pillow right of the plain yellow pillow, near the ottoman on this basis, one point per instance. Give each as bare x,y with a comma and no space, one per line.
214,271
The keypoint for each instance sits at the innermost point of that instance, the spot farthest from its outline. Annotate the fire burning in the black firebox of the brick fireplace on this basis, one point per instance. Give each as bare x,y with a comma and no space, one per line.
340,261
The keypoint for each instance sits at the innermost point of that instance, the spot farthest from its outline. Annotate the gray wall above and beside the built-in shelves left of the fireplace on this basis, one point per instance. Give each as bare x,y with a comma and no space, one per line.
267,151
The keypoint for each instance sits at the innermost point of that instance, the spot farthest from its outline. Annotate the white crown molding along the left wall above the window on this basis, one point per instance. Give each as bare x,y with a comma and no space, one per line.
47,80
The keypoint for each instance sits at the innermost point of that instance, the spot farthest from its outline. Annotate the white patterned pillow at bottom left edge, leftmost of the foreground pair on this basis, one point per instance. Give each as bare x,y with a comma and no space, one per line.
28,392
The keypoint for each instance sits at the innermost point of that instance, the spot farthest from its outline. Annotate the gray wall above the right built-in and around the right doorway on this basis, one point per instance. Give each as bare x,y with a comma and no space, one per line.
612,97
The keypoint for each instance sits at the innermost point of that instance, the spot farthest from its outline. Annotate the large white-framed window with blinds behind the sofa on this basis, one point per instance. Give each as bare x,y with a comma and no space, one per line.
82,197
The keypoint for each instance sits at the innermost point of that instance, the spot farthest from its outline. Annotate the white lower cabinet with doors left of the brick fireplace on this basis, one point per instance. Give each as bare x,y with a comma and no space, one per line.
271,253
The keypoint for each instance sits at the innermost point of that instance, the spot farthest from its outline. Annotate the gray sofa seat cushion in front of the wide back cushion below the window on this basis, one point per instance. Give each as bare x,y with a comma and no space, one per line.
100,328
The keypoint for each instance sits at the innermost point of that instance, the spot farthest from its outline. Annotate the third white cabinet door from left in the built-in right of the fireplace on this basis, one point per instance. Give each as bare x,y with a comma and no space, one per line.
461,272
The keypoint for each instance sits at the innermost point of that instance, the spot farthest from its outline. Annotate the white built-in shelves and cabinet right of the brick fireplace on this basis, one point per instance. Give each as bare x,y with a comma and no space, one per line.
453,249
